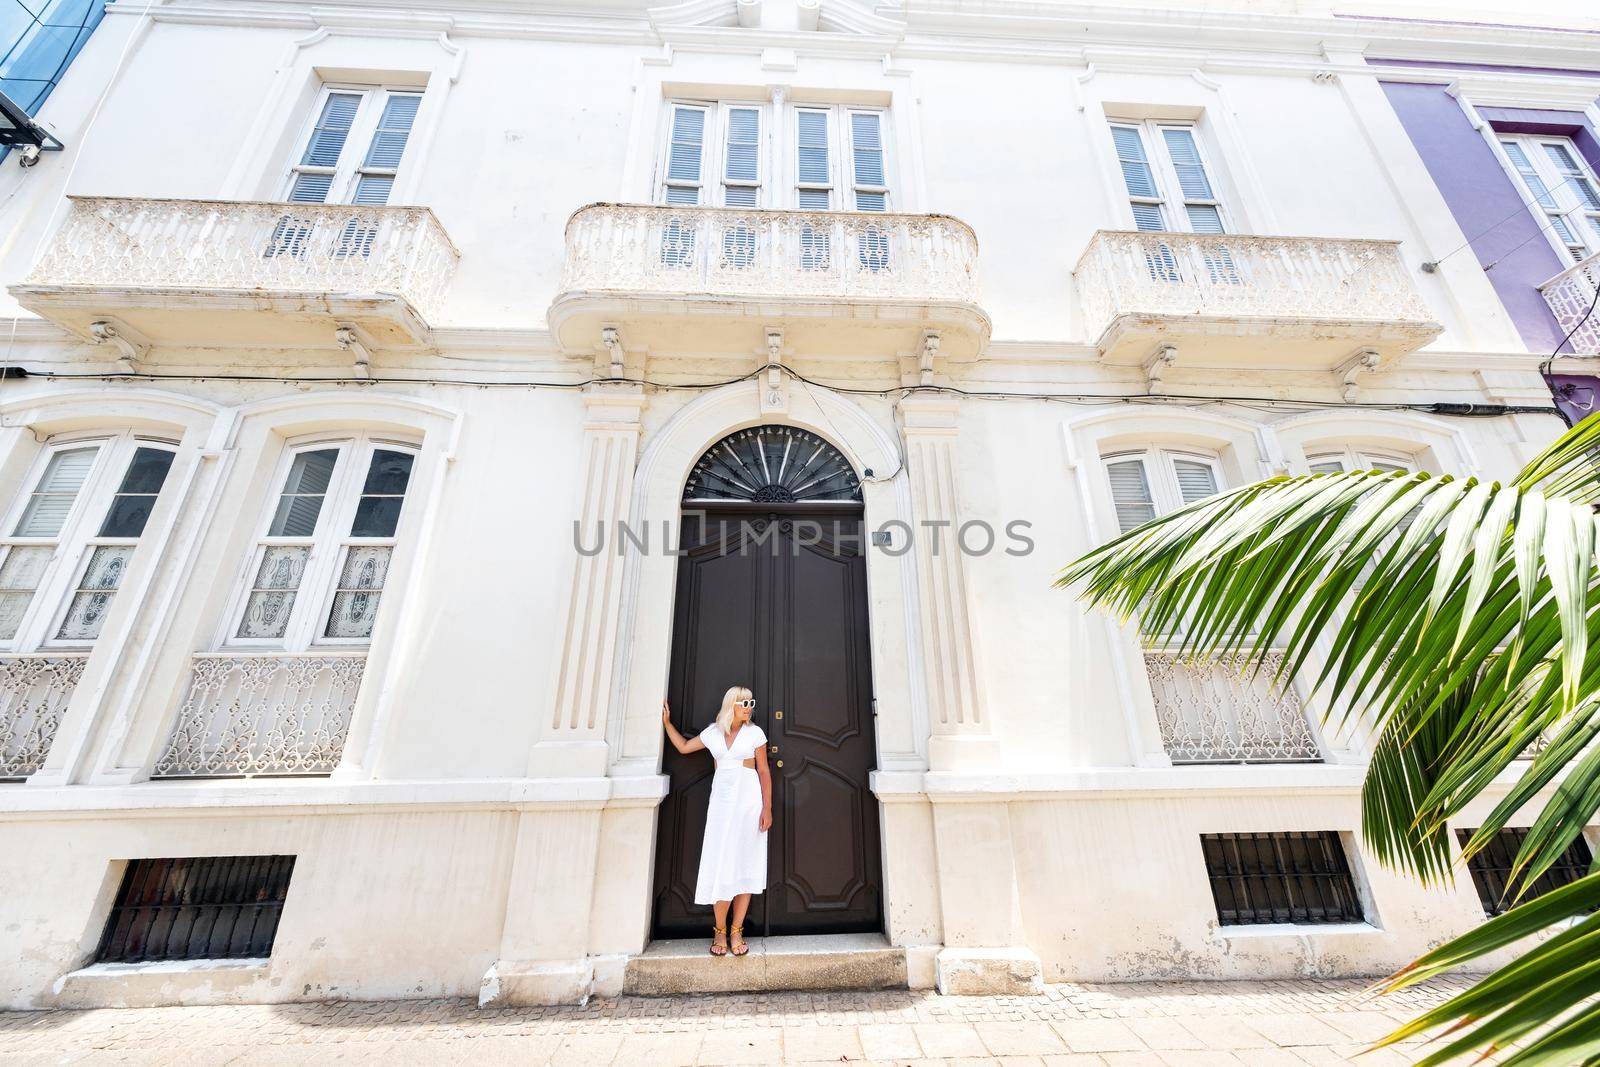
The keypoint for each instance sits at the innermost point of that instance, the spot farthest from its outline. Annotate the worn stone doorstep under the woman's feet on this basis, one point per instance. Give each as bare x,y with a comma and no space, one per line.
825,962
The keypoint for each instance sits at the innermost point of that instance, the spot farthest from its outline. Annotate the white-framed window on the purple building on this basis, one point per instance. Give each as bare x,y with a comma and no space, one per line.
1559,188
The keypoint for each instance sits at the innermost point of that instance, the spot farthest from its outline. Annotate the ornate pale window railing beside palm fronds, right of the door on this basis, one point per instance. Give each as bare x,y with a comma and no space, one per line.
1223,713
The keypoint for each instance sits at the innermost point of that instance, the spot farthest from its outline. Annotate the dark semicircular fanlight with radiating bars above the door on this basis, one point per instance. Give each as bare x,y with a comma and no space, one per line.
774,465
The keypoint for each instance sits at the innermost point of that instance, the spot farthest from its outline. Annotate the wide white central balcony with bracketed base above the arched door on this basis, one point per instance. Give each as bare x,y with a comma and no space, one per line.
713,281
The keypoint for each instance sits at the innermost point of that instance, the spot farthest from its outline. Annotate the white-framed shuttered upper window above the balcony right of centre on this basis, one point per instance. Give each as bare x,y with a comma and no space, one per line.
1167,177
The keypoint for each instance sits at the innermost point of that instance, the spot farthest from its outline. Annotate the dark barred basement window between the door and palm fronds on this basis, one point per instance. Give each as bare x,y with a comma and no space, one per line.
1294,877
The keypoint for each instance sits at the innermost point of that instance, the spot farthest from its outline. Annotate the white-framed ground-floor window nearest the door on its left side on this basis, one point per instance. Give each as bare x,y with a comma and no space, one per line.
326,546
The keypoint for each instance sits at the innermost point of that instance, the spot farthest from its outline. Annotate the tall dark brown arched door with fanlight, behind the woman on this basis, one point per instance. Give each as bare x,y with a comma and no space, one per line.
772,594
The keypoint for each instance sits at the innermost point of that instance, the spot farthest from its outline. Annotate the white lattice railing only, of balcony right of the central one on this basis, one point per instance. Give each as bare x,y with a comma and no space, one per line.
1130,273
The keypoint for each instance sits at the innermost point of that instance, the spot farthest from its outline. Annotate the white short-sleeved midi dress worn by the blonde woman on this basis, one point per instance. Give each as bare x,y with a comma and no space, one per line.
734,858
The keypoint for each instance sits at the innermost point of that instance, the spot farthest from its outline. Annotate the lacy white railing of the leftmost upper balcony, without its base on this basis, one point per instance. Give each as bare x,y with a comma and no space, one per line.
127,242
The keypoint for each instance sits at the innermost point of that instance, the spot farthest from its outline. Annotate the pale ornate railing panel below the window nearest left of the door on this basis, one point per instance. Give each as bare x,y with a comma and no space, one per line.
268,714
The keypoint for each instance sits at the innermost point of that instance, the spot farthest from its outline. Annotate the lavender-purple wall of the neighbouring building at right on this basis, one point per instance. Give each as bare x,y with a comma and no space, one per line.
1503,233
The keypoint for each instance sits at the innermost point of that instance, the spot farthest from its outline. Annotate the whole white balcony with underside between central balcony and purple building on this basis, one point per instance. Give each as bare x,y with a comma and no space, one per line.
1241,302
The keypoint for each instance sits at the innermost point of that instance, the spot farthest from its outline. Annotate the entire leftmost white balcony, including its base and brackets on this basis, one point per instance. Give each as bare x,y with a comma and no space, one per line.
207,273
